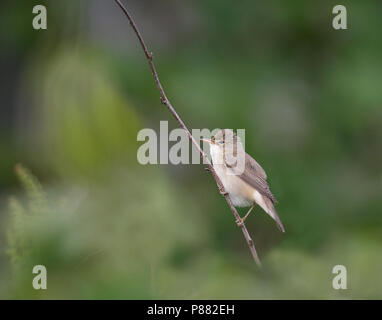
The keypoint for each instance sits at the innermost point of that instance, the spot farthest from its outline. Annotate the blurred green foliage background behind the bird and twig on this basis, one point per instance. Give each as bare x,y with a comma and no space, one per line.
74,198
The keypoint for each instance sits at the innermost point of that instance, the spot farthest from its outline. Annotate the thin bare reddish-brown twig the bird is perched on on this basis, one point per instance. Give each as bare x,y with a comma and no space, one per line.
166,102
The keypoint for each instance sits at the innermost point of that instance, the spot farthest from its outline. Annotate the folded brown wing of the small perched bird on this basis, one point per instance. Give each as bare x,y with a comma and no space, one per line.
255,176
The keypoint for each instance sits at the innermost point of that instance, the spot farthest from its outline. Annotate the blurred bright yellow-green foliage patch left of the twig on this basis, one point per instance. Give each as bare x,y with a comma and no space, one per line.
85,124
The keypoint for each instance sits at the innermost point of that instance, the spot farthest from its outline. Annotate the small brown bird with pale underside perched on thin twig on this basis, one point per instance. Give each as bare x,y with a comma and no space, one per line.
242,177
